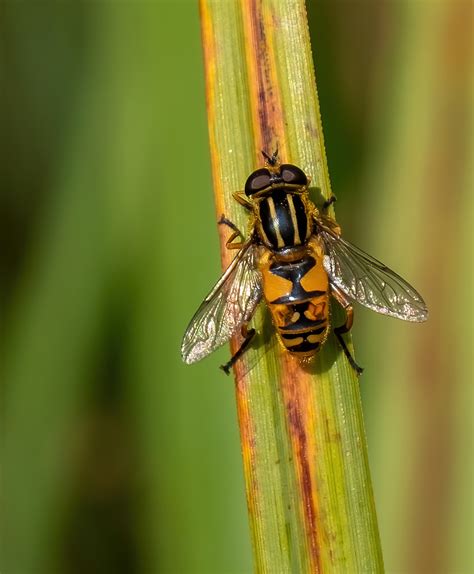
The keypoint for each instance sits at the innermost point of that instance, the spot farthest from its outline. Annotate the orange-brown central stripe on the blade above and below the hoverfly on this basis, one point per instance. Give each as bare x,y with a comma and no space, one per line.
270,128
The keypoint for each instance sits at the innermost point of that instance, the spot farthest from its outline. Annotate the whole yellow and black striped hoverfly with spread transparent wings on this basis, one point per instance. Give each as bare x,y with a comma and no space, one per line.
296,260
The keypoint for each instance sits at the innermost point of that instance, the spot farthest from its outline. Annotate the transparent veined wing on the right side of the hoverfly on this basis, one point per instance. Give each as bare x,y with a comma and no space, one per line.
368,281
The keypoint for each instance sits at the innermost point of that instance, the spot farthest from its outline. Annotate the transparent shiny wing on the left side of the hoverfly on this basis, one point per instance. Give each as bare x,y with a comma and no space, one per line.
231,303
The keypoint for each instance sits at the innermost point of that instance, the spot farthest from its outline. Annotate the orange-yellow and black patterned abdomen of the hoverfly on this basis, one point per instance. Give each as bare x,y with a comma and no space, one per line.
297,294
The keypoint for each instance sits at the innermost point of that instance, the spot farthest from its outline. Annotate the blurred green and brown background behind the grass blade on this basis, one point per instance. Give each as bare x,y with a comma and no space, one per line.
116,458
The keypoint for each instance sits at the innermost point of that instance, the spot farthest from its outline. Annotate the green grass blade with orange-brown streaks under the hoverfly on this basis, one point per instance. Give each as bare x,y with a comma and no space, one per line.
309,494
